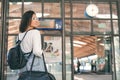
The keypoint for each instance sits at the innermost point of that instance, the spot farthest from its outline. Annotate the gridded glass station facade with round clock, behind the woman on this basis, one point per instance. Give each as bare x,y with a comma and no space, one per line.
65,21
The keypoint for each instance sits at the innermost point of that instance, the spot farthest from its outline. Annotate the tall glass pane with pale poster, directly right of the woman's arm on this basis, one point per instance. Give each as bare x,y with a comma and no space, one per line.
52,47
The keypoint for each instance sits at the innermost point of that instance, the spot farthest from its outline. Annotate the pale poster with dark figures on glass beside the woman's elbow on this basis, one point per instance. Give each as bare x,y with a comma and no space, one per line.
52,50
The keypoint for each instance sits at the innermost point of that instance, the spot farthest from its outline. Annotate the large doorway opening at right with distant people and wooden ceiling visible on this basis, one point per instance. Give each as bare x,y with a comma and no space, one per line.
92,56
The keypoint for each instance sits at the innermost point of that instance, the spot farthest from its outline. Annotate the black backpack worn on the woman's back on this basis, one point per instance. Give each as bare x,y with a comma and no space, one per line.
16,57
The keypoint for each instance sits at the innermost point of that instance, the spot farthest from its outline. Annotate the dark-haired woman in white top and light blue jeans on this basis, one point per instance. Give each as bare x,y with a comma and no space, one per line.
32,40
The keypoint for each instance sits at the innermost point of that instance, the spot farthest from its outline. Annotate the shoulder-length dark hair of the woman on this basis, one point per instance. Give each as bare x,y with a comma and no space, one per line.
26,20
